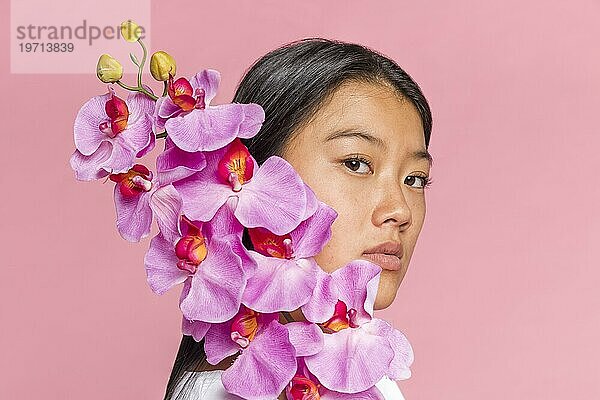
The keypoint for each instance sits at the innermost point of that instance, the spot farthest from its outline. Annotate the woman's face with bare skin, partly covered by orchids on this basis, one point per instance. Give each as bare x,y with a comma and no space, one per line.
364,124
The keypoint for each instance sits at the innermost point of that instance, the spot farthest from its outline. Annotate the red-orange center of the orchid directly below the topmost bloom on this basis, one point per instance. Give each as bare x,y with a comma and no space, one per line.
236,167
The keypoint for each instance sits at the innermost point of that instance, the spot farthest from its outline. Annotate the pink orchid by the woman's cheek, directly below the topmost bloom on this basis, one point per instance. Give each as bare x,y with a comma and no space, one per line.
273,197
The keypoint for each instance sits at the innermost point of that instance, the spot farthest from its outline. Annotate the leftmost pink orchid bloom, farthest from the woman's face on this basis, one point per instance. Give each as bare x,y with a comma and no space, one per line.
110,133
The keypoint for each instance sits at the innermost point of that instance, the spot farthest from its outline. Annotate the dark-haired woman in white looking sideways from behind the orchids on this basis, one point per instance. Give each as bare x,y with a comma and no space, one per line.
356,128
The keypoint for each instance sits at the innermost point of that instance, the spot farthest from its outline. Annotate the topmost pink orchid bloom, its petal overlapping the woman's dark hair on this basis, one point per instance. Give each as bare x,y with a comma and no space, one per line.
193,124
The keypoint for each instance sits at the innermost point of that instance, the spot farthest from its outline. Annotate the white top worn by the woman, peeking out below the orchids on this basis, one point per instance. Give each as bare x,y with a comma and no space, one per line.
209,386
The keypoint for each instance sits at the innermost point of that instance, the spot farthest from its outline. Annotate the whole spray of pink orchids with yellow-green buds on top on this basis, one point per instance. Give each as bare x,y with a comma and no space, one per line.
205,190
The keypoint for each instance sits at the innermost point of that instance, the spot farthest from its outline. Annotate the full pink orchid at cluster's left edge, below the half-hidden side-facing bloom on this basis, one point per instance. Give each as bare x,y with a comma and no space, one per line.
207,258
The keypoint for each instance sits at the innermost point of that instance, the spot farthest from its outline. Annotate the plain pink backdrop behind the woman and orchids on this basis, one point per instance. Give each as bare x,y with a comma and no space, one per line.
500,301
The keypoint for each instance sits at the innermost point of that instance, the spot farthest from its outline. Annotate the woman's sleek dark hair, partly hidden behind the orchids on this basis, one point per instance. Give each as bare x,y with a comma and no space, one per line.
291,83
